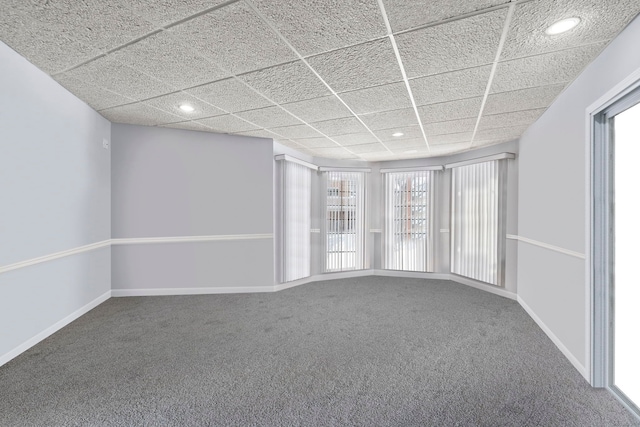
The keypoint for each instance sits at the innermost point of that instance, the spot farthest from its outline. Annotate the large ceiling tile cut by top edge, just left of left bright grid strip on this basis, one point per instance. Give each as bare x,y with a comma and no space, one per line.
314,26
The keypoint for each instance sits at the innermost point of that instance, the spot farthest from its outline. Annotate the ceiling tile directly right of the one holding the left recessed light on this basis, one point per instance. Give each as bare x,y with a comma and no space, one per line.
231,95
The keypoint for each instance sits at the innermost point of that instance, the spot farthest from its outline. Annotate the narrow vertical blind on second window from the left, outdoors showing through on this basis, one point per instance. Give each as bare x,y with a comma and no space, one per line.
344,221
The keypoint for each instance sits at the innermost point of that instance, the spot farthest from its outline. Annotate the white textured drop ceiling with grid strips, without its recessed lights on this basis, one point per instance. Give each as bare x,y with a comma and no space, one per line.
328,78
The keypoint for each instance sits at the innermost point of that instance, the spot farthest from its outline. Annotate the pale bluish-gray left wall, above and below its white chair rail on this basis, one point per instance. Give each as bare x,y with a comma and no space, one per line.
55,186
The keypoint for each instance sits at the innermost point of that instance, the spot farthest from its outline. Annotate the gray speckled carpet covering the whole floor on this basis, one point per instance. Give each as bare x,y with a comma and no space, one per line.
371,351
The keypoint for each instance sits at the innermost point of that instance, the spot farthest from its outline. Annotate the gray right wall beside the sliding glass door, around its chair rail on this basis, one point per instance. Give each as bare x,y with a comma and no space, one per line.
552,202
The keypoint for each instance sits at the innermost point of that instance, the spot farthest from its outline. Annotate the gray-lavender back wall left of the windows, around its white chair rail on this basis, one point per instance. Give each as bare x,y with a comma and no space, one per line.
174,183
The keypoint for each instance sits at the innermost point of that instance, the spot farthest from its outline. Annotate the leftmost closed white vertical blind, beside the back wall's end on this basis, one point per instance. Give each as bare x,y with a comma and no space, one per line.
296,221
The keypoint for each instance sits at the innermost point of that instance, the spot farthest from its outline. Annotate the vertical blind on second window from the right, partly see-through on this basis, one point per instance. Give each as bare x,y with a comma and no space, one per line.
408,232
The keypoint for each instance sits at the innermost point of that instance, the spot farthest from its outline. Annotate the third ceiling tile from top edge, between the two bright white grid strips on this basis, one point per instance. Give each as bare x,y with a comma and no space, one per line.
450,86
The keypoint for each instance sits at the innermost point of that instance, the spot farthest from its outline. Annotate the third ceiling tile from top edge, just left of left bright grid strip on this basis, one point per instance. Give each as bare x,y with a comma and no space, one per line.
393,96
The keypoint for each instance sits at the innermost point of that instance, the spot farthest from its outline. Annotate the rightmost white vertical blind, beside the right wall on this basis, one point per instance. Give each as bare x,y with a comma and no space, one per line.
477,221
